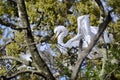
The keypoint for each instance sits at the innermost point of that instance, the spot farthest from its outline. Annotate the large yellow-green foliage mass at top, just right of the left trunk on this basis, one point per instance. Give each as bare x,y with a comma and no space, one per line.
54,12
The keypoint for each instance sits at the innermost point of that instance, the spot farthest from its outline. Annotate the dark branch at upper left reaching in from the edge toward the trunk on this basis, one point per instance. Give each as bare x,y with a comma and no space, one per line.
12,26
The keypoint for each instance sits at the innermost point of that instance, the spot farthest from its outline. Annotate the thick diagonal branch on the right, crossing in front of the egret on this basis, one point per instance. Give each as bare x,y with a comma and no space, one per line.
83,54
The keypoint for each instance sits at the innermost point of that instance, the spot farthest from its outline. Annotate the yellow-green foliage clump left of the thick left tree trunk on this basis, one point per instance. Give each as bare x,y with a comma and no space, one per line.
16,47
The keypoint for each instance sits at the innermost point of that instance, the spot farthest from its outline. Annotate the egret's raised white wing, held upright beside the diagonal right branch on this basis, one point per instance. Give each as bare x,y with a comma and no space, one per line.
84,29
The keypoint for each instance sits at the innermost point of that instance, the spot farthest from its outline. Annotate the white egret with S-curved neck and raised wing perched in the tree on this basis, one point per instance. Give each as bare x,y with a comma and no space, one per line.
85,32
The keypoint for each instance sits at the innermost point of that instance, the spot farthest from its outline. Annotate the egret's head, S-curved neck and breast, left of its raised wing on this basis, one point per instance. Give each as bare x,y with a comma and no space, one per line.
62,32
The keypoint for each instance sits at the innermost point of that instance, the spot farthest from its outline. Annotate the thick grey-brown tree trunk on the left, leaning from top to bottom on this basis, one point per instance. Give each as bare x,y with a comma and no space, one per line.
40,64
